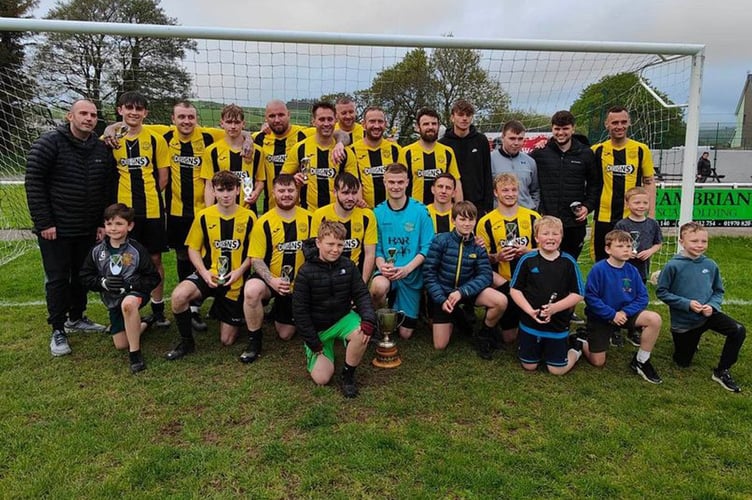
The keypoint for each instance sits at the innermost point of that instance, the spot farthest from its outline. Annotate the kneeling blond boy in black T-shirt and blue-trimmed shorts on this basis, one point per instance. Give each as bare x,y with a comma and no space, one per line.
546,285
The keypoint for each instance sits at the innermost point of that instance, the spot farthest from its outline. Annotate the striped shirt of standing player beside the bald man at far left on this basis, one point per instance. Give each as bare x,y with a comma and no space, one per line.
138,161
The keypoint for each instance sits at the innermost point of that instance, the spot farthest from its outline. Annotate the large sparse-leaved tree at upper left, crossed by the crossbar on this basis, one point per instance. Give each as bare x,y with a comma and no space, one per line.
100,67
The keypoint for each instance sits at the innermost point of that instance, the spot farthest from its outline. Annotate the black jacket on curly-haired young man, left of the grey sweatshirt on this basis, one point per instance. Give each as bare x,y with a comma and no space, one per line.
474,159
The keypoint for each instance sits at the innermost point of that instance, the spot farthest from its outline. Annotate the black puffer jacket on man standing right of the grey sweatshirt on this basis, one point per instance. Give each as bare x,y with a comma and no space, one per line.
565,177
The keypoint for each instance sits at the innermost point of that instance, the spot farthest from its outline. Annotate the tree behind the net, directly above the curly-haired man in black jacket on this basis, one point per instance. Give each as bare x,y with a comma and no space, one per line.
459,75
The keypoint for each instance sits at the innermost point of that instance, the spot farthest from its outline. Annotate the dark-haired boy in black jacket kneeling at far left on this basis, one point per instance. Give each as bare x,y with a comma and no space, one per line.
122,271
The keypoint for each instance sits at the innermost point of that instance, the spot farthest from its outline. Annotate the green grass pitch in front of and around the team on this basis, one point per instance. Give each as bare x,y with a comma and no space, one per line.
443,425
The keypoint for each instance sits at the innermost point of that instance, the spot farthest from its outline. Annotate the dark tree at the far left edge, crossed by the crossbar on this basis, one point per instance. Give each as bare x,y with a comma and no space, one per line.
15,88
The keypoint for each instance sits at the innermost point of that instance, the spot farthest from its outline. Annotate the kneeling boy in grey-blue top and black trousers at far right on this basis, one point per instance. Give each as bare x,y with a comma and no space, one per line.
690,284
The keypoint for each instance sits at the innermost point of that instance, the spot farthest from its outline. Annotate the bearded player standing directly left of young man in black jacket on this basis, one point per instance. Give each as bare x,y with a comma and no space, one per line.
426,159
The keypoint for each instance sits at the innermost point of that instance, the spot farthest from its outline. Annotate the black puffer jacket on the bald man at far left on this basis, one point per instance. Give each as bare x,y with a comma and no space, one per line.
68,182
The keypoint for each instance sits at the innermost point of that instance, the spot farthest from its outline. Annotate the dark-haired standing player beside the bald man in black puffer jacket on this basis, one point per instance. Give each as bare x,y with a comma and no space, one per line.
143,167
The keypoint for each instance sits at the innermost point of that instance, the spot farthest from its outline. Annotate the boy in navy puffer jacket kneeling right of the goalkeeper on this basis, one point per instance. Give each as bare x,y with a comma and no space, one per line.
457,271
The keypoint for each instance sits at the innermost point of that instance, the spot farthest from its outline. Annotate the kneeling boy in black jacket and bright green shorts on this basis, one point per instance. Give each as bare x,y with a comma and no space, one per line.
325,288
